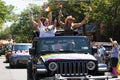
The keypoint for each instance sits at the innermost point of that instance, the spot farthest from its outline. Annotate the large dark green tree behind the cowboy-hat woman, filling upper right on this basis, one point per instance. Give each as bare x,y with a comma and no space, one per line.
103,11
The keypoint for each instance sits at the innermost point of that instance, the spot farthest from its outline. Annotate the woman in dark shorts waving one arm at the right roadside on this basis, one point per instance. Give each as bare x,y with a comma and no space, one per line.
114,58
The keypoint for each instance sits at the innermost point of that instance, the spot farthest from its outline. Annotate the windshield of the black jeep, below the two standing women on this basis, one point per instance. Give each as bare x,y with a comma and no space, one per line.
63,45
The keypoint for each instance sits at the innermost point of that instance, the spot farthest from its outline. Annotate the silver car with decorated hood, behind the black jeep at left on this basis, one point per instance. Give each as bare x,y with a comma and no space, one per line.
20,54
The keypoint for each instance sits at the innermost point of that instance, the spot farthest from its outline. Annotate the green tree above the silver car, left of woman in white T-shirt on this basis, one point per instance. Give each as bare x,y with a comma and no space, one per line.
23,29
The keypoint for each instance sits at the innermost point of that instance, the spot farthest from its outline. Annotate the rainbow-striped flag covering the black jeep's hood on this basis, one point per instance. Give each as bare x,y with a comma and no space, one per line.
74,56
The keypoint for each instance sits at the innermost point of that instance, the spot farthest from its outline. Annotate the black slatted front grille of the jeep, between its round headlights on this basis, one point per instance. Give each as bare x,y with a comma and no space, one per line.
72,68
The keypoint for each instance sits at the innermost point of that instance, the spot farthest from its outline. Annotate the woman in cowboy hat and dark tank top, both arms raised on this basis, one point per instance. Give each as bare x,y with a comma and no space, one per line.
69,24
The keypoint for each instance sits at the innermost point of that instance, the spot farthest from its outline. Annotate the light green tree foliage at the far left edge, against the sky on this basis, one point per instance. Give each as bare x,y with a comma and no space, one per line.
6,14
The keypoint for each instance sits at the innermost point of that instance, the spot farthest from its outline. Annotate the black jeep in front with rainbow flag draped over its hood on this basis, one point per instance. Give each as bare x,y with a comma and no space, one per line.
61,57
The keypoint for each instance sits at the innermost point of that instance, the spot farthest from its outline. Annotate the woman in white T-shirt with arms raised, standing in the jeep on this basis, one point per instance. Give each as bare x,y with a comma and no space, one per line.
44,25
